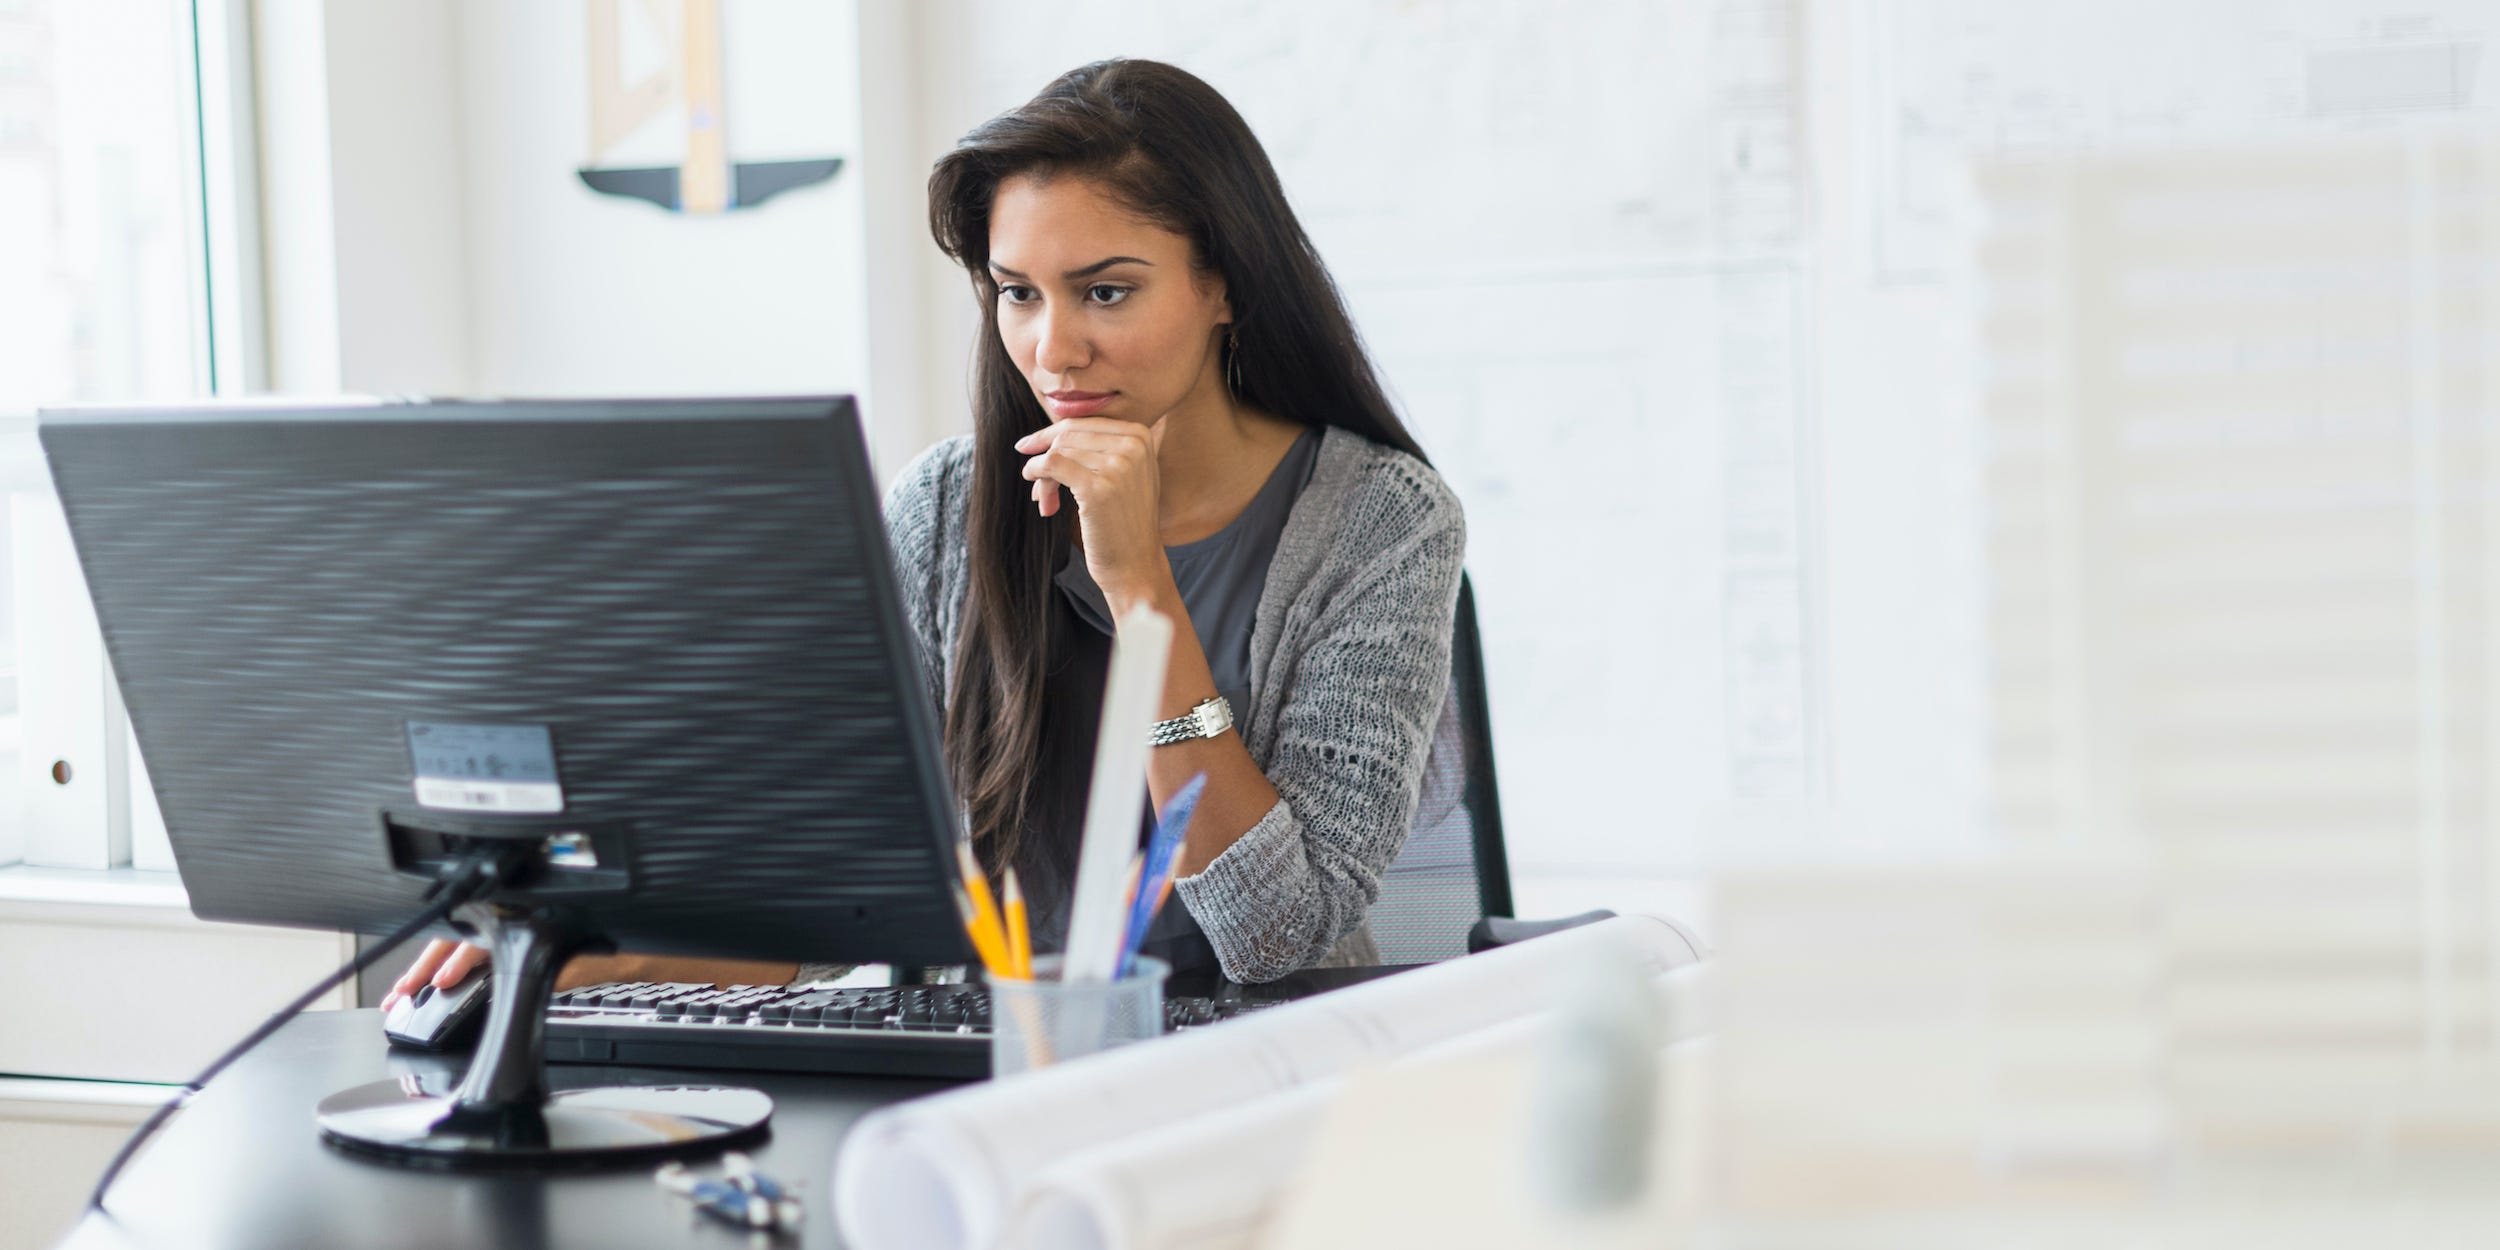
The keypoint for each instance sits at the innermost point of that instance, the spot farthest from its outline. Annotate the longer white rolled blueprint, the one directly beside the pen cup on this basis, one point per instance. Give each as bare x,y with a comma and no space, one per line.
944,1171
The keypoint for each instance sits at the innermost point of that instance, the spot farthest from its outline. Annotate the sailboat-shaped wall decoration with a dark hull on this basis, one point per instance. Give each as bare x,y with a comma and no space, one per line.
661,124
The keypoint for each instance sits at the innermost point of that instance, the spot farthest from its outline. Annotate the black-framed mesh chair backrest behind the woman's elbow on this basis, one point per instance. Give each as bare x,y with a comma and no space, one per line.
1454,869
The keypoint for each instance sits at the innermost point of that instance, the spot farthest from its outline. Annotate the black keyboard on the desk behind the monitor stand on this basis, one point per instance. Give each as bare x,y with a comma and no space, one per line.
911,1031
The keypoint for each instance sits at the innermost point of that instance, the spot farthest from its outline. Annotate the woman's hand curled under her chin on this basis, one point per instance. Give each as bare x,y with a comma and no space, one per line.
1114,471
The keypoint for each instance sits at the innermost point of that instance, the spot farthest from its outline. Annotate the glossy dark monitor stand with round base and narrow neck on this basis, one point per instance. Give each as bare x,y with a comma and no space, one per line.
504,1116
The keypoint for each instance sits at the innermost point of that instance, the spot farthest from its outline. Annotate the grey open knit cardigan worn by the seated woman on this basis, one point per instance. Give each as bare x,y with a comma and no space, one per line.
1349,671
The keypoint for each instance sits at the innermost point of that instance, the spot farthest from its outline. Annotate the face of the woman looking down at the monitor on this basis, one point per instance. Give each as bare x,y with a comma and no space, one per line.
1101,311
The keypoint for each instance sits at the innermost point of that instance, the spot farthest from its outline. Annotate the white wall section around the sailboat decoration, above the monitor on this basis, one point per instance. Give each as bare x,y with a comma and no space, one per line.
429,231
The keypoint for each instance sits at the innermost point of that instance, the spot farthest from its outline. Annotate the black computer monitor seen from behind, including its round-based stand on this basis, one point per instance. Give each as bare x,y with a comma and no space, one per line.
651,651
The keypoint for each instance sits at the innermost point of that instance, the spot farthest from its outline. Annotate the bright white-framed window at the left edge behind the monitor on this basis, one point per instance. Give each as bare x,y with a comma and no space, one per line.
106,264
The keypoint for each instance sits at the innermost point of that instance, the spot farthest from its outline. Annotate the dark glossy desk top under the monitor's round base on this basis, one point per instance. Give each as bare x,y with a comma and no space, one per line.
244,1169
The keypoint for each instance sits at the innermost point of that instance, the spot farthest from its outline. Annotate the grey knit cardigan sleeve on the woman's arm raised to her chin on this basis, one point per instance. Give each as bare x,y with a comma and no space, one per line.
1351,749
